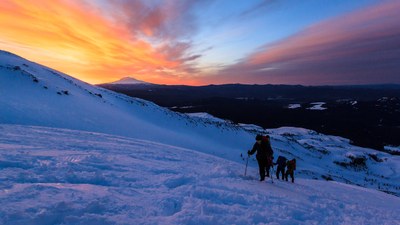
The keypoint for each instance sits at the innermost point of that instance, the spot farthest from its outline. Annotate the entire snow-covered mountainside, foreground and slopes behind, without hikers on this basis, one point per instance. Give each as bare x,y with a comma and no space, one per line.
145,161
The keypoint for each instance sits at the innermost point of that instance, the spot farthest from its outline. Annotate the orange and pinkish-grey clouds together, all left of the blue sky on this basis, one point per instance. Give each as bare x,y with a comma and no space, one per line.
83,41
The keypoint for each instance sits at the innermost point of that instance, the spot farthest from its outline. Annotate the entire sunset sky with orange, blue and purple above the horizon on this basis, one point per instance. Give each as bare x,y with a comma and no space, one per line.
204,42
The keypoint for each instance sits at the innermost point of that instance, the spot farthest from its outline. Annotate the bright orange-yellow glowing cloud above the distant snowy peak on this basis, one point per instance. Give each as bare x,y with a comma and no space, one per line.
79,40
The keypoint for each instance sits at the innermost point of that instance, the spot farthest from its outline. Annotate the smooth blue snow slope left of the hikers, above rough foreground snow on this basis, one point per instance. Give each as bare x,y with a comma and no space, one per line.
31,94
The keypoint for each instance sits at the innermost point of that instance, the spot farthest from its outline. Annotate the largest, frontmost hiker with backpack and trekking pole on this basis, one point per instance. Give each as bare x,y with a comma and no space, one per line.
264,154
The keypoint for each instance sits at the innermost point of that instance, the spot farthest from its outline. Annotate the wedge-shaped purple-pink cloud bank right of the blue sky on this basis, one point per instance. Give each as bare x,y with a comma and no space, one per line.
358,48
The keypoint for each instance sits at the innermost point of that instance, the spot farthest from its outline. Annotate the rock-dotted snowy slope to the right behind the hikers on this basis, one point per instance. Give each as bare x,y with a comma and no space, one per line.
334,158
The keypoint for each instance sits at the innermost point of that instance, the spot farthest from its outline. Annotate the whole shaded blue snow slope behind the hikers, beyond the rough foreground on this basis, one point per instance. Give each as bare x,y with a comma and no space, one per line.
31,94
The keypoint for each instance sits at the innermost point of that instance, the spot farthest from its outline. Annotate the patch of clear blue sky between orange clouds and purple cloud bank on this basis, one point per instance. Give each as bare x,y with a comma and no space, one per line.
233,34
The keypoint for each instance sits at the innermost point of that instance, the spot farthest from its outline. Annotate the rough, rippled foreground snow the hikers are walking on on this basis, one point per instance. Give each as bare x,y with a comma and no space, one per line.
59,176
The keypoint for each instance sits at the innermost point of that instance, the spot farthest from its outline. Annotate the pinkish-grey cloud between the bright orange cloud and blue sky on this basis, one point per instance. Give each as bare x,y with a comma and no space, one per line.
168,26
